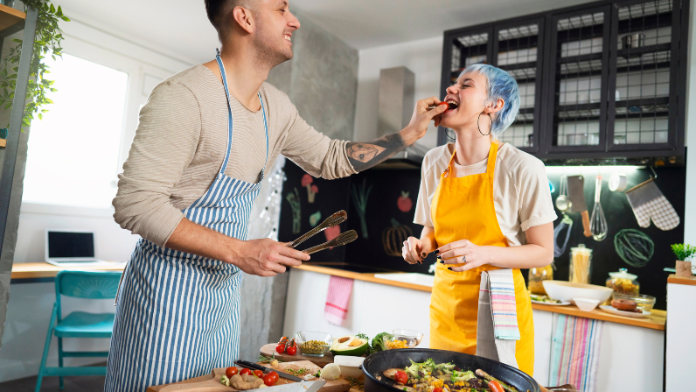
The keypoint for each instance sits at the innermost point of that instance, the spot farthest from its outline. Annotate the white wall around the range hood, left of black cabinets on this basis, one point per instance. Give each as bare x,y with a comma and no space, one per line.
423,57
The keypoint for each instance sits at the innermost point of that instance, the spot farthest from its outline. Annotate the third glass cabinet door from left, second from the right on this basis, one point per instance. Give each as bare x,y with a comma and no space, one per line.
578,76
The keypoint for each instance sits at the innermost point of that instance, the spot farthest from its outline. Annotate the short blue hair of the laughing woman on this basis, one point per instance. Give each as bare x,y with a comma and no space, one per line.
500,86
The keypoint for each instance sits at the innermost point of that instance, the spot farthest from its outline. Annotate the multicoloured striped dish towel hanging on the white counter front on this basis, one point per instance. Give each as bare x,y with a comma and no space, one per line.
575,352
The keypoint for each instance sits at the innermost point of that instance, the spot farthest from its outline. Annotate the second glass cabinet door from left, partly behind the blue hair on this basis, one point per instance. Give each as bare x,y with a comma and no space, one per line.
517,50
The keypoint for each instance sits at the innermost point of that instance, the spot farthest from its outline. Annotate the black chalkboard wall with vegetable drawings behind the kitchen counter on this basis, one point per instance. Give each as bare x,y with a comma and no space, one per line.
388,215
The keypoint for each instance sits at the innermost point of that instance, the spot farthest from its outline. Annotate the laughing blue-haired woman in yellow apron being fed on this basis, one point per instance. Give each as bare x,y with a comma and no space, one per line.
484,206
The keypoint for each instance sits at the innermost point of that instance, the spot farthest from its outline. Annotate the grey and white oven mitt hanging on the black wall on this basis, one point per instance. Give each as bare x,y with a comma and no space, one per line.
648,202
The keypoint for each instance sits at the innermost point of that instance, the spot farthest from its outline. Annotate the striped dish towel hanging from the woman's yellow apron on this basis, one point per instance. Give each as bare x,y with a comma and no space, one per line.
503,305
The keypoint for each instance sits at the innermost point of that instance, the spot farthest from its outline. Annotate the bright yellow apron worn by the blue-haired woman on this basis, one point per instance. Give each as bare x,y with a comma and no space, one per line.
463,208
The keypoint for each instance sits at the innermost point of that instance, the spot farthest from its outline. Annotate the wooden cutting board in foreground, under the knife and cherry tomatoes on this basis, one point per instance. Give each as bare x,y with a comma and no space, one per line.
211,382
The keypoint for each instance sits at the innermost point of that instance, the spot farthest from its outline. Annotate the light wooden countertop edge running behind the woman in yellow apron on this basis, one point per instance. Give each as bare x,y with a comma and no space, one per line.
655,321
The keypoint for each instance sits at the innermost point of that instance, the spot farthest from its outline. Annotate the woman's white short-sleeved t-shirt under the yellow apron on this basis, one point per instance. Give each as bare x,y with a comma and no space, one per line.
521,193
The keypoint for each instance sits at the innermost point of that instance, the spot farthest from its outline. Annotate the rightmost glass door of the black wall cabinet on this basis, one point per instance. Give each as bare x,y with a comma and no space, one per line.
640,114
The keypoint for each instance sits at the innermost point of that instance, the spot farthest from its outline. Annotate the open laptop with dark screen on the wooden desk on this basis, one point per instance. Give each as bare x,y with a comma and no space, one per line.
71,248
